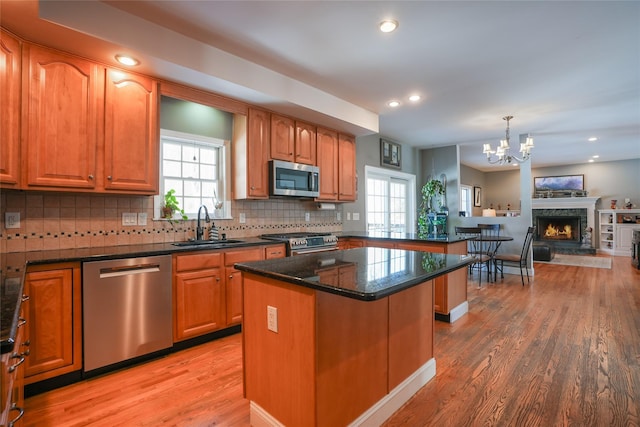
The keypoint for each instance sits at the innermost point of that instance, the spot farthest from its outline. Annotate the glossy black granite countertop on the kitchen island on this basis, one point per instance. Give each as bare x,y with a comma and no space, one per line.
378,272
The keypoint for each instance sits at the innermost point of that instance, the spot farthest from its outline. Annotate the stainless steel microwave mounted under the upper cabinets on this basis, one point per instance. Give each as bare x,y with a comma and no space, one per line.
293,179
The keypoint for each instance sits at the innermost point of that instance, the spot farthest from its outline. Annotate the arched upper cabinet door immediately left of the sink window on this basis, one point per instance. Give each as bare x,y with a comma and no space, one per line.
131,133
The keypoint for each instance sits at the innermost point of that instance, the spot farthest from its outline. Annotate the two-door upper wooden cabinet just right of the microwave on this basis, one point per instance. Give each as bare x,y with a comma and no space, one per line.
337,162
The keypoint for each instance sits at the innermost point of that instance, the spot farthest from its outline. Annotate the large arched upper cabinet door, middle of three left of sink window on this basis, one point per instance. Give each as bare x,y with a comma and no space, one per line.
63,120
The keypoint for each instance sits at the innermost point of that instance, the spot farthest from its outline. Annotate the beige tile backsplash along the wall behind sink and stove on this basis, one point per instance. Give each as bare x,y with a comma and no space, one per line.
50,221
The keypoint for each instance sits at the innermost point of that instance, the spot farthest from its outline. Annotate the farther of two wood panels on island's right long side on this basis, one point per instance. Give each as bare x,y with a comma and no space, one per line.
411,318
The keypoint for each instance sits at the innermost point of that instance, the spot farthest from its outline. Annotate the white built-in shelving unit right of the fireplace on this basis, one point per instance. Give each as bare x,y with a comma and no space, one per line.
615,230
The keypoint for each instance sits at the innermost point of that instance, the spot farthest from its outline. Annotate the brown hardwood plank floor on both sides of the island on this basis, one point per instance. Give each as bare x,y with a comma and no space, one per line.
563,350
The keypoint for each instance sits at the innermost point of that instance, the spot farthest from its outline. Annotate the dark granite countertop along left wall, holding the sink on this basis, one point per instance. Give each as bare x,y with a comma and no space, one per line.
13,266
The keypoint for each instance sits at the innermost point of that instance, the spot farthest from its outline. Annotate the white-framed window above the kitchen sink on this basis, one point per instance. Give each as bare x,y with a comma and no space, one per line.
194,166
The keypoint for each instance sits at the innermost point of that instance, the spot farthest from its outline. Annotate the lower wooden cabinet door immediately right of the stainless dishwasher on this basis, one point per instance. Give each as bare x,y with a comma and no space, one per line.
200,303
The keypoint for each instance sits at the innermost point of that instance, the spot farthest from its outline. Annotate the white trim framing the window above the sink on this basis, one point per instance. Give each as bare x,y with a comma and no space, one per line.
225,165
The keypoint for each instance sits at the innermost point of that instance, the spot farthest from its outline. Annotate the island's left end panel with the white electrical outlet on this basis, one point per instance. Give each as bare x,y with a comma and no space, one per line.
279,368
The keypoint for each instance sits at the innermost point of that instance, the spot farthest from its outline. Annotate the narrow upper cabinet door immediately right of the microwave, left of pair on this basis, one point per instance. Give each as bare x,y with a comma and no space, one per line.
327,155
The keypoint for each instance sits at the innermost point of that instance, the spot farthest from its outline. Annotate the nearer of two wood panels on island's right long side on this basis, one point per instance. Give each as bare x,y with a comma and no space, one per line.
352,357
